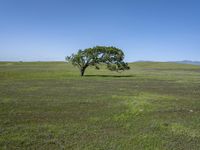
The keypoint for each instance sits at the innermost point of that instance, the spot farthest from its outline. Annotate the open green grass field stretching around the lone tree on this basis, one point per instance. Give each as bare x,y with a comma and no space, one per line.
47,105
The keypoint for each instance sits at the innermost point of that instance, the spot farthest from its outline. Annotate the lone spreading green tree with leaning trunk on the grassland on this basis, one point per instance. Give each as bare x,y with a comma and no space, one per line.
111,56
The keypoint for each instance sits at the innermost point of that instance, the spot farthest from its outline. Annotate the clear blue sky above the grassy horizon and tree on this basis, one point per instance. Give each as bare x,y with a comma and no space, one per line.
44,30
